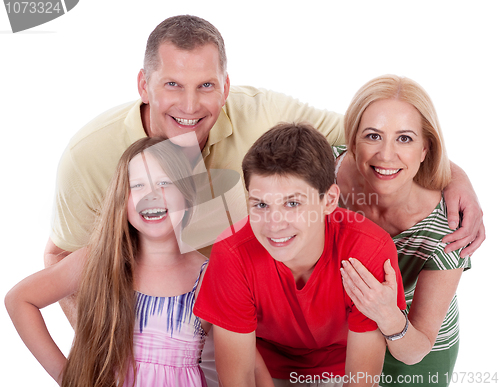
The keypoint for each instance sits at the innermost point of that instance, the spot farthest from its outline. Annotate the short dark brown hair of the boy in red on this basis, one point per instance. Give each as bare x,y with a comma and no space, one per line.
295,149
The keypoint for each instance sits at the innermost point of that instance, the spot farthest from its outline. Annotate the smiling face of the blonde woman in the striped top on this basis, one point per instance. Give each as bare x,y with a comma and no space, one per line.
390,145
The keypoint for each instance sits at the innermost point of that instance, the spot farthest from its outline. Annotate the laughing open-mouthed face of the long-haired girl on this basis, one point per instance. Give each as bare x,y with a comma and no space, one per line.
155,206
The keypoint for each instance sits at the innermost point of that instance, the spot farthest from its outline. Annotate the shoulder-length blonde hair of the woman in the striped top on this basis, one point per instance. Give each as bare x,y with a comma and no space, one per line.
434,172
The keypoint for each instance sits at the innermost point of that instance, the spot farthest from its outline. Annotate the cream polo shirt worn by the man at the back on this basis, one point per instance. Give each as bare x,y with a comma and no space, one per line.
90,159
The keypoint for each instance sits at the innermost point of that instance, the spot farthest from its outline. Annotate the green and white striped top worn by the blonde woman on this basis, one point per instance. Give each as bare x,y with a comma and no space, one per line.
421,248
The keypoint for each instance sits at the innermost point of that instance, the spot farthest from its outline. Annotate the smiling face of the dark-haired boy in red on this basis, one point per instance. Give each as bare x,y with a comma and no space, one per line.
287,217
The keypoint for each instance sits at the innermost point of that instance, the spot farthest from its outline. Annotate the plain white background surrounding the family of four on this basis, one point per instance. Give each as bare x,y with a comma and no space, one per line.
58,76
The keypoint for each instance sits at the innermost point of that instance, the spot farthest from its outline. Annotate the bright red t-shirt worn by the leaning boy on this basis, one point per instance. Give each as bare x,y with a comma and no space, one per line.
302,331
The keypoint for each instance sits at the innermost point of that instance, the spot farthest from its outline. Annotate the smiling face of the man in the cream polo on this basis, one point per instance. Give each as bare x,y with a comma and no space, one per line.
185,93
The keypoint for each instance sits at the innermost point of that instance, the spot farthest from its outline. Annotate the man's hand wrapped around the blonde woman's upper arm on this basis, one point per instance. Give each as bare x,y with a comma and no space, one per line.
461,199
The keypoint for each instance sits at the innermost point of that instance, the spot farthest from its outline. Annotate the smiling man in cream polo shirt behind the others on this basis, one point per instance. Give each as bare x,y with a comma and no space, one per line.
184,87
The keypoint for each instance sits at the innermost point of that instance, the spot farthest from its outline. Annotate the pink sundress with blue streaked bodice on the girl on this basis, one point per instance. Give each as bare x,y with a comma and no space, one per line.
168,341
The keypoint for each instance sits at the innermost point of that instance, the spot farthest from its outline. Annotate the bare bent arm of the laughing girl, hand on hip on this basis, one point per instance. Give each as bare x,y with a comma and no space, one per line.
24,301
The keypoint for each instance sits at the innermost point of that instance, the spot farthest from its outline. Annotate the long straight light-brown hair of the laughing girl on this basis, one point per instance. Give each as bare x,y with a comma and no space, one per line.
102,351
